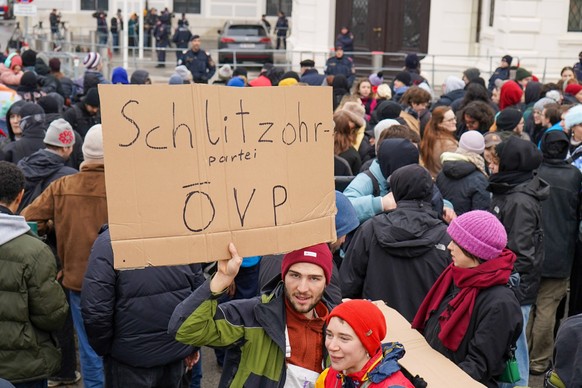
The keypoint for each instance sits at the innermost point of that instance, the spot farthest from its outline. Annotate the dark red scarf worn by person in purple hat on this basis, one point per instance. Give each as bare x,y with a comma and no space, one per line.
455,319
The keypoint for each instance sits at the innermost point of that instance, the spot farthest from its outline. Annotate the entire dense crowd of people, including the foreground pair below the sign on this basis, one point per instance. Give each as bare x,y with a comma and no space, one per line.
462,212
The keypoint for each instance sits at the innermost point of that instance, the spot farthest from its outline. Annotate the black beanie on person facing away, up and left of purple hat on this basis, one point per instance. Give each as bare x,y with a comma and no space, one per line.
412,182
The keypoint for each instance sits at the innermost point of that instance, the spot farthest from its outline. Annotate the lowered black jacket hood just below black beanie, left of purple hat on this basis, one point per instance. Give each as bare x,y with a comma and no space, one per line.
409,231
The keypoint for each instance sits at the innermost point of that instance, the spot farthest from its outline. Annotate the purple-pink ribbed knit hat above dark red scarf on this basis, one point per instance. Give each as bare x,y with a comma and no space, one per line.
480,233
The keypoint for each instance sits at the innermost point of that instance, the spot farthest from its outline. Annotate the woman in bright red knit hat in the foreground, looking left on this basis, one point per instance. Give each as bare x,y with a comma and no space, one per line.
353,338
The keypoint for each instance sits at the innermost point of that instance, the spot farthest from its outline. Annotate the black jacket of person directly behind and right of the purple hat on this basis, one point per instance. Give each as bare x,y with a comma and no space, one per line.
519,209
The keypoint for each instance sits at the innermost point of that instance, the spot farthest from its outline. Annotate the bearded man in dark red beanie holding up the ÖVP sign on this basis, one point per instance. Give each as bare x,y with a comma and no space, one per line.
280,334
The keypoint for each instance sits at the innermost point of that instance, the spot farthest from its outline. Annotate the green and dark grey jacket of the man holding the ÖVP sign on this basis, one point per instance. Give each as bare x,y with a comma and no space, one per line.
258,324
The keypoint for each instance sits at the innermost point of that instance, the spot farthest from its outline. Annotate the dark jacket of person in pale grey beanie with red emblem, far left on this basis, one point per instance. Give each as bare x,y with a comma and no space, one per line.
40,169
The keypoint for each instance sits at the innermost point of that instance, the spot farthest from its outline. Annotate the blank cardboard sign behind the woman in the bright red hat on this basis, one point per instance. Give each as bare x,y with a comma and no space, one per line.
420,358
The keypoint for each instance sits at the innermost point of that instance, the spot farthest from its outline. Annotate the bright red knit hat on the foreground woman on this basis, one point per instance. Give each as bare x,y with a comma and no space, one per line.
365,319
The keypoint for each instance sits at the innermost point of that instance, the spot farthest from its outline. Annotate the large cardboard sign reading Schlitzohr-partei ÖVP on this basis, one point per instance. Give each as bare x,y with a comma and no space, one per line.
190,168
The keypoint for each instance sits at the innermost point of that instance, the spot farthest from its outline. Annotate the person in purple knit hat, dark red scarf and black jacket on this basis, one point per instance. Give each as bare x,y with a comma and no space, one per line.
470,315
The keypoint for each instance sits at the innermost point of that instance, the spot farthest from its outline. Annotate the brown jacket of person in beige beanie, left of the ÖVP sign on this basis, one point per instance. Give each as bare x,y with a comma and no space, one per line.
77,205
